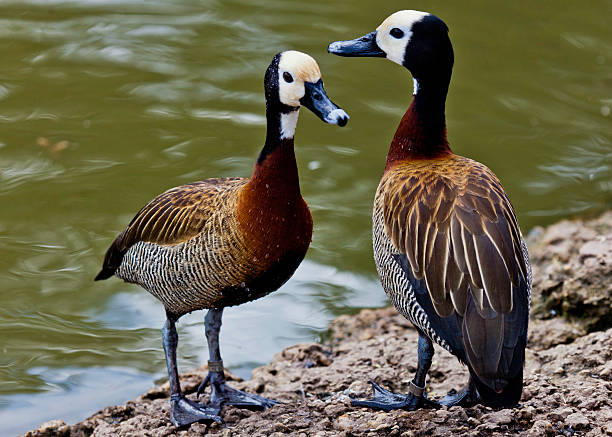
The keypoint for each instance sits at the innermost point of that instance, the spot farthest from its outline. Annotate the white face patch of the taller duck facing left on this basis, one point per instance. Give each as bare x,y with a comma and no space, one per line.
394,47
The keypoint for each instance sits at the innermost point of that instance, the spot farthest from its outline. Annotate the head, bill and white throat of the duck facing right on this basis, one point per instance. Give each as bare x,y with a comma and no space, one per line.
292,80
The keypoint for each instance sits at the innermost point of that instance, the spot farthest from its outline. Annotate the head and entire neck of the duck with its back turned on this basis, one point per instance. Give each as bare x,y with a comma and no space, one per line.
419,41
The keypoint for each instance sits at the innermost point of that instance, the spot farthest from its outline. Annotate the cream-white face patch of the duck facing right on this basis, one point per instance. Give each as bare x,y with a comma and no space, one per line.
295,68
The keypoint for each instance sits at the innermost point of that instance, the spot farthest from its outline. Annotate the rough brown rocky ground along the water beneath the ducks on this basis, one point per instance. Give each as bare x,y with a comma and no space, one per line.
568,375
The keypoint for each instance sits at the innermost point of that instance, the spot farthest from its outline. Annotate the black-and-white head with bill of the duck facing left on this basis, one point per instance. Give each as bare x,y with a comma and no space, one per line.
417,40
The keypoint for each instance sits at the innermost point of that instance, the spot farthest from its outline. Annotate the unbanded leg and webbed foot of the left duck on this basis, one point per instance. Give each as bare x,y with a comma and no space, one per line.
182,410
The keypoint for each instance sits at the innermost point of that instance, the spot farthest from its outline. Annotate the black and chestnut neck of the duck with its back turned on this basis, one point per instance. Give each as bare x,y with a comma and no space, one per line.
422,132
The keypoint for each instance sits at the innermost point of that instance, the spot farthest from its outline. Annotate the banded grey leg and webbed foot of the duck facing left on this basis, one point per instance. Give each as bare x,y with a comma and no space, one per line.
386,400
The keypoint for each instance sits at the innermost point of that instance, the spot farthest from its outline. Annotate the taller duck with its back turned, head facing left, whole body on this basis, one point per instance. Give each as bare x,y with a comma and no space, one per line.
447,244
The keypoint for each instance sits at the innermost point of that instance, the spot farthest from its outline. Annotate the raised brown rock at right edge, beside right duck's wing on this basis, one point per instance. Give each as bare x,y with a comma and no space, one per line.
572,266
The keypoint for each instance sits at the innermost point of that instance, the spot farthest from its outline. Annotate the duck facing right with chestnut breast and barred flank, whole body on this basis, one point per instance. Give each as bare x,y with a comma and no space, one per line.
225,241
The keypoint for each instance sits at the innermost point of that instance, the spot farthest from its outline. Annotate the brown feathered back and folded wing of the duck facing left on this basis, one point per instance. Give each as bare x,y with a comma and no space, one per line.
459,232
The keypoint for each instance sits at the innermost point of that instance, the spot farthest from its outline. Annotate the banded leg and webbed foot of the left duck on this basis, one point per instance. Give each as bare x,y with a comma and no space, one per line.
221,393
